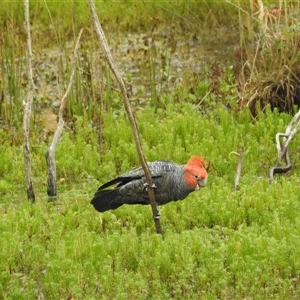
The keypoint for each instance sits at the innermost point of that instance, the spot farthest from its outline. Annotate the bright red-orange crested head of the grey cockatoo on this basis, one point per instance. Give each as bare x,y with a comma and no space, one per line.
195,172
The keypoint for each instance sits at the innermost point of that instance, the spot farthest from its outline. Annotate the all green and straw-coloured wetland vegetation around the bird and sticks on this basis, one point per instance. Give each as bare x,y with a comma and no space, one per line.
193,69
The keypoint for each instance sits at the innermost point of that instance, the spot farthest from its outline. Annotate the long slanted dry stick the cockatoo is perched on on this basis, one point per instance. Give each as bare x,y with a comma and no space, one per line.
114,69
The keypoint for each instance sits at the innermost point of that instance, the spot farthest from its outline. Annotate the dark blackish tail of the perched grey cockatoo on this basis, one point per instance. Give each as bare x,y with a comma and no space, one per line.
104,200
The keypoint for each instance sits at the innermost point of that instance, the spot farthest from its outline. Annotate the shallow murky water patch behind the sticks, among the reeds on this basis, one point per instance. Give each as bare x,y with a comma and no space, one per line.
150,63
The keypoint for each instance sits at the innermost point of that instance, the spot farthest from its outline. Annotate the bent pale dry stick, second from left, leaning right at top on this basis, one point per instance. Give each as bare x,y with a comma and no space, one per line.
50,153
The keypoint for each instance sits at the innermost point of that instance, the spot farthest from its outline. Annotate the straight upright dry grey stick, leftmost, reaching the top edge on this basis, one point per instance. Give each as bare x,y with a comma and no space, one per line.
27,109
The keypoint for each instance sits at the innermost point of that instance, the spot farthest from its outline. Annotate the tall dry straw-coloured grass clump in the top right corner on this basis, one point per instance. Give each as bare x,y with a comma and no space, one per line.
269,52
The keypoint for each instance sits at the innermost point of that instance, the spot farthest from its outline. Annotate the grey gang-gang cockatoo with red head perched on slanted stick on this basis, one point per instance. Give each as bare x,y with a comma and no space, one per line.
172,182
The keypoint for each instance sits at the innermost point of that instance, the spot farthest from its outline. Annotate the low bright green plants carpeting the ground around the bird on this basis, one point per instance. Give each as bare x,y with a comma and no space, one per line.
218,243
